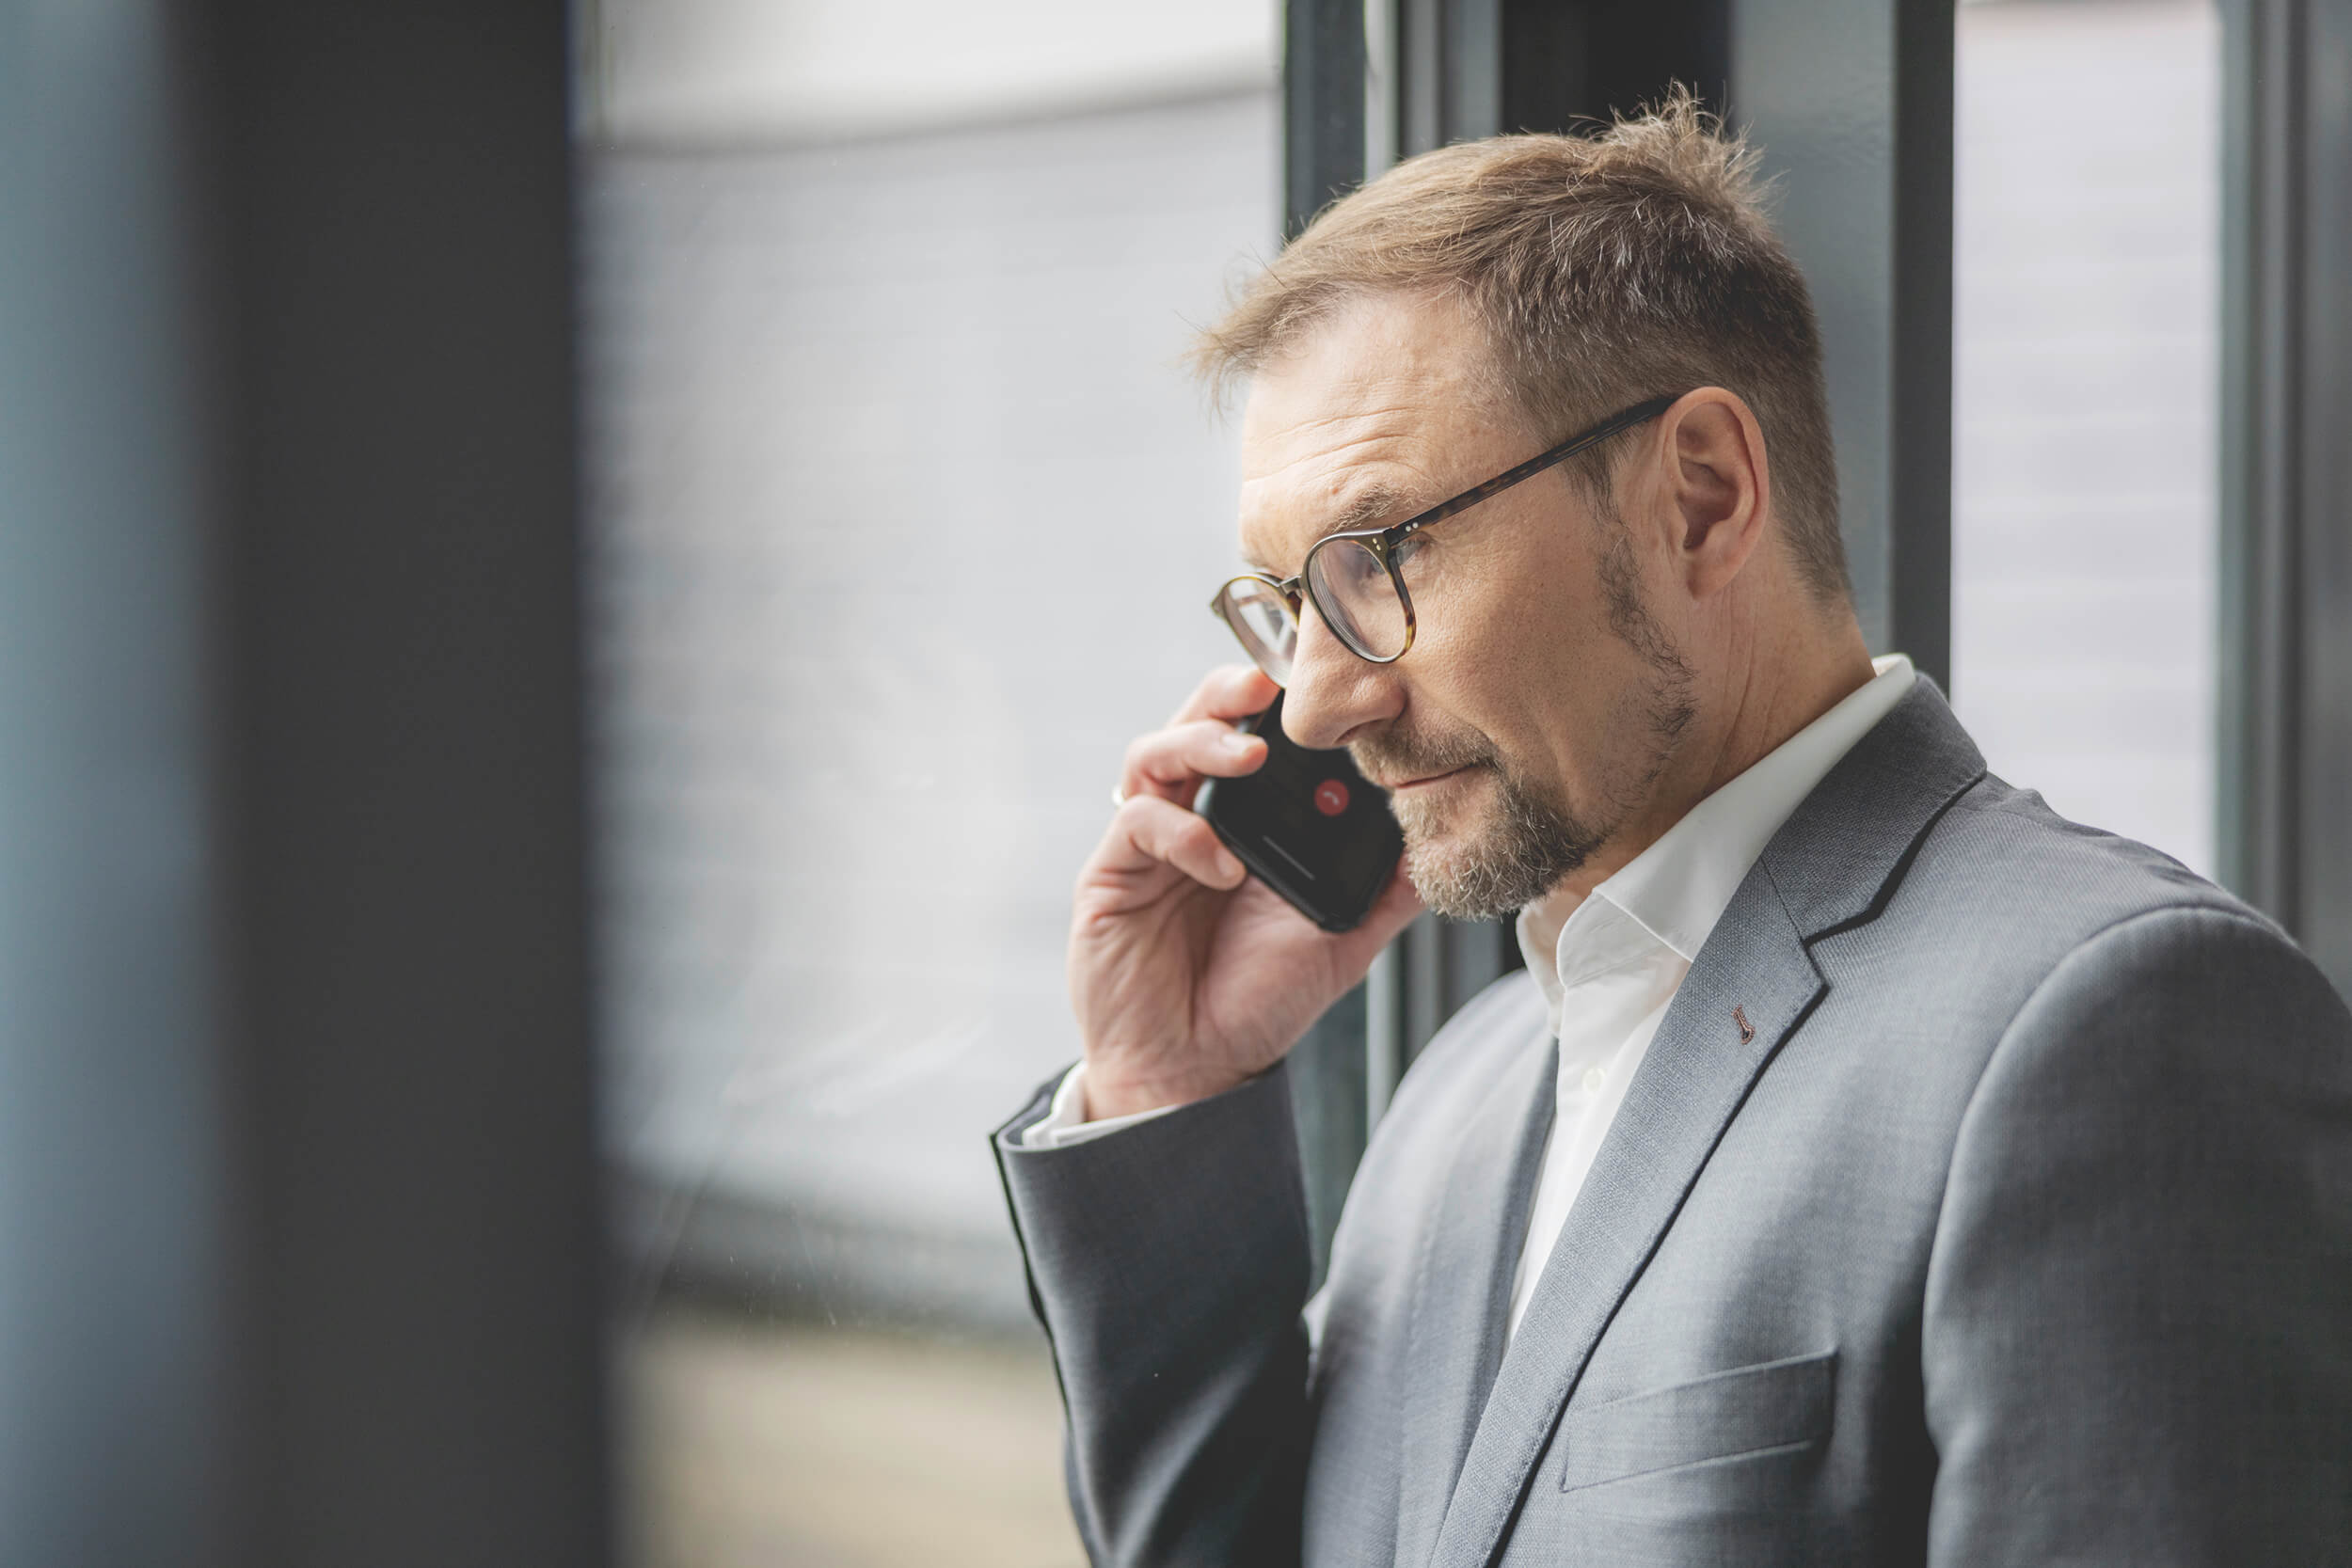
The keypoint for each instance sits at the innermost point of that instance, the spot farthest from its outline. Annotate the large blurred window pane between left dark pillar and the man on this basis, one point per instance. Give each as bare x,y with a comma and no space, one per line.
886,427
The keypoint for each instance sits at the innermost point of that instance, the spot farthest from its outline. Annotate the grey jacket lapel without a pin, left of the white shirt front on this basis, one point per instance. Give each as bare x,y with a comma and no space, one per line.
1462,1289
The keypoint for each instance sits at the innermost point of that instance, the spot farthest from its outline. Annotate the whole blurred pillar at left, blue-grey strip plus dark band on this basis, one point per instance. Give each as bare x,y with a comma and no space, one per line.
300,1238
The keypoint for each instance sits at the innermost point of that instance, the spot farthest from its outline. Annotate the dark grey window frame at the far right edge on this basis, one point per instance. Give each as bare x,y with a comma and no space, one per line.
2287,471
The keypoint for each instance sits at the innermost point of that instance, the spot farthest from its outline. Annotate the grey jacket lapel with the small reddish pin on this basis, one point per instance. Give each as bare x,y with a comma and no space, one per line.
1753,984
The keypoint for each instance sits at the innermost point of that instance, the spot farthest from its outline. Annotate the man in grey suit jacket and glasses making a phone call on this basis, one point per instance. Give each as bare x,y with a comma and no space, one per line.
1871,1167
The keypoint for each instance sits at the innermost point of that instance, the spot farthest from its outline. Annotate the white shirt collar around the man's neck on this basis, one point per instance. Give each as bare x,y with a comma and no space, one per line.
1681,887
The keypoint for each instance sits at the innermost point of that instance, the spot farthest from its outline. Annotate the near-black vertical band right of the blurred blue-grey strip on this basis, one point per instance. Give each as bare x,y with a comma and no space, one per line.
408,782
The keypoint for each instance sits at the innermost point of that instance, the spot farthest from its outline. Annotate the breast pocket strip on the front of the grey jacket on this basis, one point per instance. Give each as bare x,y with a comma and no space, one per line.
1746,1409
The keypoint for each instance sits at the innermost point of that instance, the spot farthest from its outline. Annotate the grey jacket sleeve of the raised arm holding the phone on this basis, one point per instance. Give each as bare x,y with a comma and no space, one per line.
1170,1266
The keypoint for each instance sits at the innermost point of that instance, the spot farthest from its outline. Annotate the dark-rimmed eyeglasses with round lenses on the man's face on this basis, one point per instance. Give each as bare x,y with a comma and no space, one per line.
1356,577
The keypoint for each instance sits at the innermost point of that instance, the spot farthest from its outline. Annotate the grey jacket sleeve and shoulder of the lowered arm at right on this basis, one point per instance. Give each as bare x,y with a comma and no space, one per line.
2137,1343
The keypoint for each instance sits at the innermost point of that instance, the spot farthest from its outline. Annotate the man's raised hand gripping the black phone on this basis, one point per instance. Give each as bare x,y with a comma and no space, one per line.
1187,974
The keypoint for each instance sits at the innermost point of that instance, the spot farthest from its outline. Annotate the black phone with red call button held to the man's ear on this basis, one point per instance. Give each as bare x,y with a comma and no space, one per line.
1307,826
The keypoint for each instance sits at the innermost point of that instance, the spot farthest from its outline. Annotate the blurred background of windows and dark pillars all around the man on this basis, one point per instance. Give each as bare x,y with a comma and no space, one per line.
575,584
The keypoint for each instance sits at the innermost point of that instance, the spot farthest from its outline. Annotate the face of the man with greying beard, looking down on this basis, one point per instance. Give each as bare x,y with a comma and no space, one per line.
1539,699
